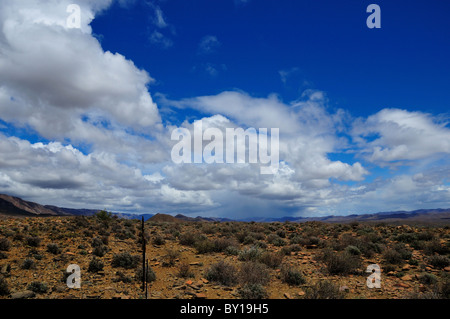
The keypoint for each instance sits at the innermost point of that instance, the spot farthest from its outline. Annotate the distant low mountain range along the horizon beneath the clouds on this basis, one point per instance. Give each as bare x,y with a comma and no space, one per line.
17,207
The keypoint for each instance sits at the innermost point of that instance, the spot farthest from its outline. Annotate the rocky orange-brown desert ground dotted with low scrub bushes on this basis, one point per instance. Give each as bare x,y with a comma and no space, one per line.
220,260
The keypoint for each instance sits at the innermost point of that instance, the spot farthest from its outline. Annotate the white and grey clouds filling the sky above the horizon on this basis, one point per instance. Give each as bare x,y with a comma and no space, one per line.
79,127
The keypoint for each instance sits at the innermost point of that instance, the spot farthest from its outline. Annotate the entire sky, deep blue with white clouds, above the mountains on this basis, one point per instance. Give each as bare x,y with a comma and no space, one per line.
86,114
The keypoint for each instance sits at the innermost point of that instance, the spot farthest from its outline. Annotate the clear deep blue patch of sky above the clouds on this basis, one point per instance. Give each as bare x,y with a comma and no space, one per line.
322,45
